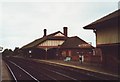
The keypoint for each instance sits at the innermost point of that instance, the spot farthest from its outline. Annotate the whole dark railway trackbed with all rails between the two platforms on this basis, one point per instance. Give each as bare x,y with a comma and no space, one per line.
24,69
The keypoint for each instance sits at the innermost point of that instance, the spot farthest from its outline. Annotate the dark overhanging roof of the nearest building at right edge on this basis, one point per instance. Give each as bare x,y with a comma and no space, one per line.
112,18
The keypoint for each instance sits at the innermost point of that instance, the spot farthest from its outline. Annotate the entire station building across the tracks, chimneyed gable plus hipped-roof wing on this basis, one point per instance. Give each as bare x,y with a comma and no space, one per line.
58,46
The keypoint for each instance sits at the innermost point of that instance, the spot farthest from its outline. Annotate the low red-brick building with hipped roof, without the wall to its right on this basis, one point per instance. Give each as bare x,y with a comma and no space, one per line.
75,47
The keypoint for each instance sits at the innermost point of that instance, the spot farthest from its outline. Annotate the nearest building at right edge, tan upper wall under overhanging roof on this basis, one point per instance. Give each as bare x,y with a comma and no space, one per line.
108,39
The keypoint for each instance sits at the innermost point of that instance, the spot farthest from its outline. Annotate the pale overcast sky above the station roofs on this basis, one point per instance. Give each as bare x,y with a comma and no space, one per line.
21,22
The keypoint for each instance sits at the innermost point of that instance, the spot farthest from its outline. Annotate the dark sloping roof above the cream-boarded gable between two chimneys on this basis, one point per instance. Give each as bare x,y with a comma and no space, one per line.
48,37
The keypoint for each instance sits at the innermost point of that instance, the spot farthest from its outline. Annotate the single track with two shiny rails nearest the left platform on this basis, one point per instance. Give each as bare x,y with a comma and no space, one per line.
18,73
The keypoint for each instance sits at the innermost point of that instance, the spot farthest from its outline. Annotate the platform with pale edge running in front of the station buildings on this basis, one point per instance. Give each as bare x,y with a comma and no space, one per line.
84,66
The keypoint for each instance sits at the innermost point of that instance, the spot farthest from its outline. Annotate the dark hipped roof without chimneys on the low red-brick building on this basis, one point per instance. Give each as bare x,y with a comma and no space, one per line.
75,42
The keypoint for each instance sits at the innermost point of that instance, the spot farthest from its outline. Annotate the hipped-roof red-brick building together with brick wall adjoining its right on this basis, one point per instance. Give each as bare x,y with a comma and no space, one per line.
77,48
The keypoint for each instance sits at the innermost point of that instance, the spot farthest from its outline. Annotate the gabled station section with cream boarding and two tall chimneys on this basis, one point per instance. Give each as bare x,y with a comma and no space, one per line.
48,44
